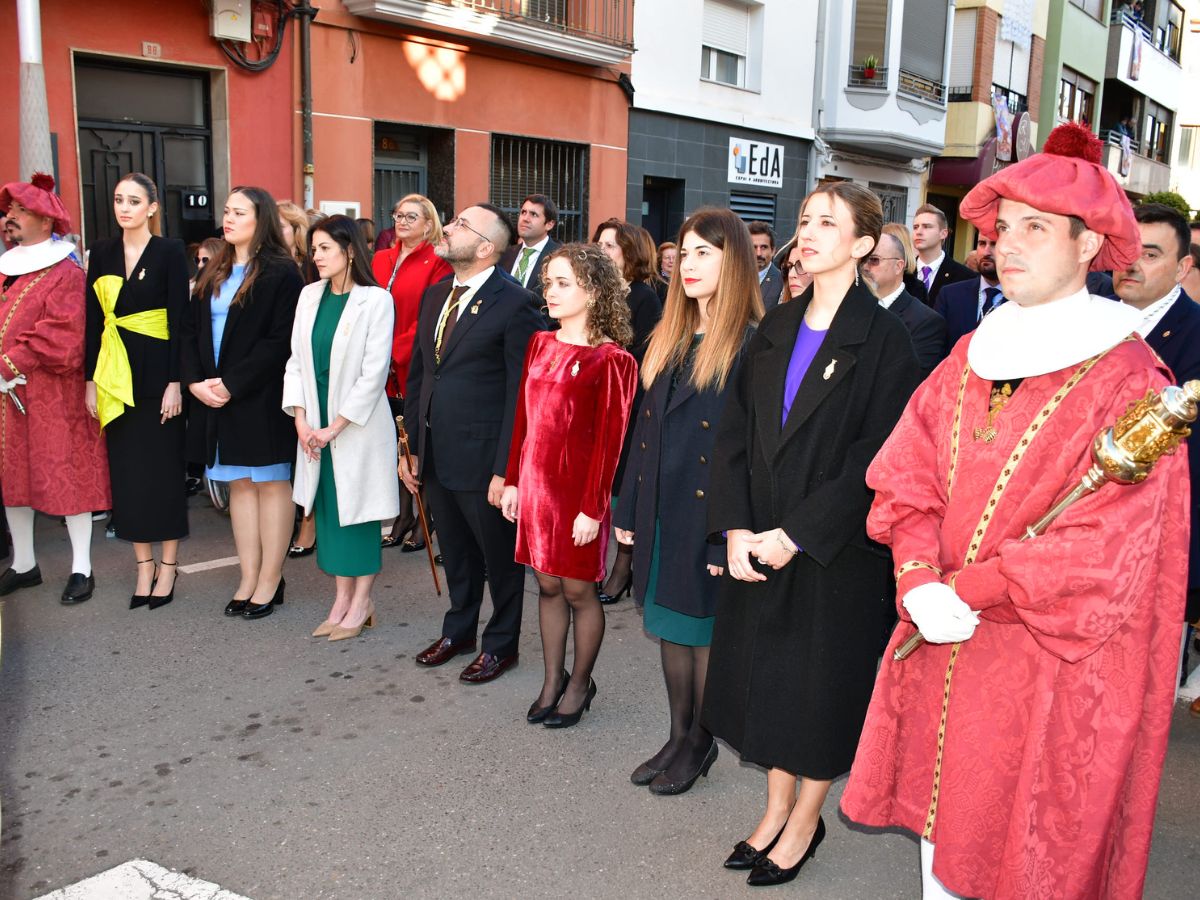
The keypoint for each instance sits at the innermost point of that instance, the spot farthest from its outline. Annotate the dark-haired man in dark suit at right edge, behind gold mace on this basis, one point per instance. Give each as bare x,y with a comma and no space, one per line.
1172,327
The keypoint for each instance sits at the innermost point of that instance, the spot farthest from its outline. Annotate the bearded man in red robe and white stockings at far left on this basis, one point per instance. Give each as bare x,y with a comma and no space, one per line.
52,459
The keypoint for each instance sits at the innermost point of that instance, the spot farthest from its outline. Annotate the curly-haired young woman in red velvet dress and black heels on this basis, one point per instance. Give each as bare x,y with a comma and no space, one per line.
575,401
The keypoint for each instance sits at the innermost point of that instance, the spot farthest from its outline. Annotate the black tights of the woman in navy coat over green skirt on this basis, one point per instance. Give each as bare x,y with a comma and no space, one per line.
683,669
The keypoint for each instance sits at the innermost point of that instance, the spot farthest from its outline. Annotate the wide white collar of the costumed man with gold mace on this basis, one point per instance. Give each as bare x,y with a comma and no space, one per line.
1025,341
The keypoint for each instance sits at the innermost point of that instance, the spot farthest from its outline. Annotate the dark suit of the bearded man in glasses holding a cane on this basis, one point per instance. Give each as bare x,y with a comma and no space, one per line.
461,415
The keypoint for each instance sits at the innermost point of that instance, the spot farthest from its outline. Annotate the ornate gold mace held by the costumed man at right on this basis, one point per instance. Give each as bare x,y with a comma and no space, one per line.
1124,454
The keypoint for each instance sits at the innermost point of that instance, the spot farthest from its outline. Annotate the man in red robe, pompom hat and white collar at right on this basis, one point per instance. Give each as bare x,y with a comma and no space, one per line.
1025,742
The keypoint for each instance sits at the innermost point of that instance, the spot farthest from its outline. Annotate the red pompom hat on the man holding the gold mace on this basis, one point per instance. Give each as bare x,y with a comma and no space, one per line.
1069,179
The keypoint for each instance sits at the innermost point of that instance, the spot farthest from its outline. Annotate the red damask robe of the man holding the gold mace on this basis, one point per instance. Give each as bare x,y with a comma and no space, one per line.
1055,715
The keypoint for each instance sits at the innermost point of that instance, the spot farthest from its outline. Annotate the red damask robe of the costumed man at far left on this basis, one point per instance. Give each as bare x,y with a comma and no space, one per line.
51,459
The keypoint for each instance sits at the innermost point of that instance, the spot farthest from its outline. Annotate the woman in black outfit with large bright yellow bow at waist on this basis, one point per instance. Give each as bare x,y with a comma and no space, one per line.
137,295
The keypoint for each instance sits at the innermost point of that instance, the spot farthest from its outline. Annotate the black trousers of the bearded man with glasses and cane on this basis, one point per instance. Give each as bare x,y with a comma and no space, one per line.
475,539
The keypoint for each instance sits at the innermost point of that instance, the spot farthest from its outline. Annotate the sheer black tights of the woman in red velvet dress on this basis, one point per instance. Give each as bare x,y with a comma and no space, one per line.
560,602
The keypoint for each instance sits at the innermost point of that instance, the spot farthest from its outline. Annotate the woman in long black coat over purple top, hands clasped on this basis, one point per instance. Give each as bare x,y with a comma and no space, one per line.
800,621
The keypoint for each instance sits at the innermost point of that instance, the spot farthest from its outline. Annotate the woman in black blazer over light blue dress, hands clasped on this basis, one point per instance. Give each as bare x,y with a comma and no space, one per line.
237,343
